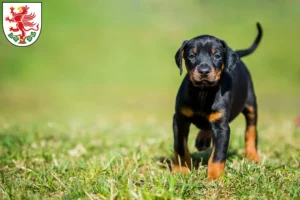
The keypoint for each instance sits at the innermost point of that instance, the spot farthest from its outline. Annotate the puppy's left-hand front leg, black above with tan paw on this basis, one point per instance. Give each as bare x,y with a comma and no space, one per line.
182,155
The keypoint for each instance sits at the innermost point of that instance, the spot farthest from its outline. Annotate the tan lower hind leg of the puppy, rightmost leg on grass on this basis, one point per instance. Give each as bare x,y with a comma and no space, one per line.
250,140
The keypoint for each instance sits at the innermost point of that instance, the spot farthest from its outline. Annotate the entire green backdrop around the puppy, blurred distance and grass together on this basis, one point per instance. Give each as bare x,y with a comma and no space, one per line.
86,112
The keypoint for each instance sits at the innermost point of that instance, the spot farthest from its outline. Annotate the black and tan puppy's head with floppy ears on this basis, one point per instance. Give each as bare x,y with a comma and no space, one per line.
206,58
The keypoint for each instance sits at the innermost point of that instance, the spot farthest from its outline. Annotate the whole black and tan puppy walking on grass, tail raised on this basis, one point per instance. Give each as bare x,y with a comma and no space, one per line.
215,90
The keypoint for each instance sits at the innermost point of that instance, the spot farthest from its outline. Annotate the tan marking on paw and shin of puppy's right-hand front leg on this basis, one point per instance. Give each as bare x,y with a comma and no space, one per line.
215,169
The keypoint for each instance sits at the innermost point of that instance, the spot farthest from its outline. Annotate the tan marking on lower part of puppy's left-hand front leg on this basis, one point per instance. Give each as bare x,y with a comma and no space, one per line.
183,163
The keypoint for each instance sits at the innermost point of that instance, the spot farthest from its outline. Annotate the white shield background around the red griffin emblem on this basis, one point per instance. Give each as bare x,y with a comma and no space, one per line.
33,8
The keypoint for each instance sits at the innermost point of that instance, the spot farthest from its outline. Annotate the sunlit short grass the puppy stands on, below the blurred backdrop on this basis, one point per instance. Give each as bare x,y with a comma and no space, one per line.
101,160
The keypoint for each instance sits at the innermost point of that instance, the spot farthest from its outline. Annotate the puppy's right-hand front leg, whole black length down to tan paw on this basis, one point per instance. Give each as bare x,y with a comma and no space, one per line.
221,135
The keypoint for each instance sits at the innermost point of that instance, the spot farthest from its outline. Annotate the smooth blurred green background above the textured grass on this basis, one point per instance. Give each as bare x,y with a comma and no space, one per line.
115,59
